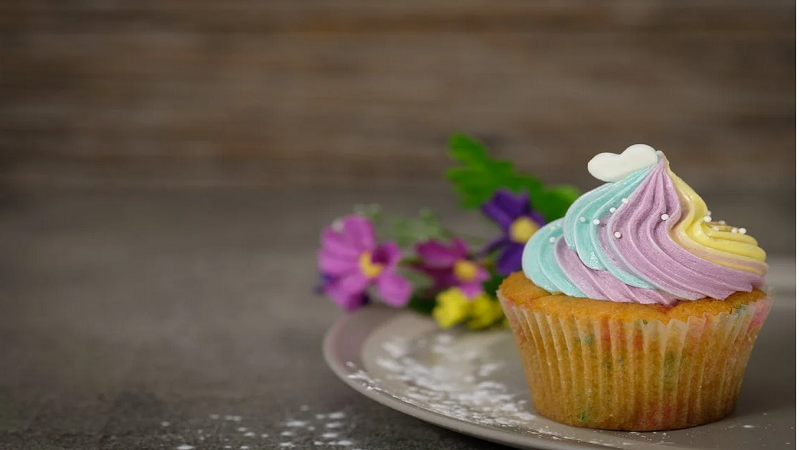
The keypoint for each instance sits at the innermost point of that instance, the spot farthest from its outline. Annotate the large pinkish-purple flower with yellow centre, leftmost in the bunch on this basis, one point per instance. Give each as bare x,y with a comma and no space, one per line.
351,261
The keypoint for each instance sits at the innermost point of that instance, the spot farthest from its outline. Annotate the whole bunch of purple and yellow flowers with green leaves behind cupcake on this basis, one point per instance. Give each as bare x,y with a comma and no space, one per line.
418,264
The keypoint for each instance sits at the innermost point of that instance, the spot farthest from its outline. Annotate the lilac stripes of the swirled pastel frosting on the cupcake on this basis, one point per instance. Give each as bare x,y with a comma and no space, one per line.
637,240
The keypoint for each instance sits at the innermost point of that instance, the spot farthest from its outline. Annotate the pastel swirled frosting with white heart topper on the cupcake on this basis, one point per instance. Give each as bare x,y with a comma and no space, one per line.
646,237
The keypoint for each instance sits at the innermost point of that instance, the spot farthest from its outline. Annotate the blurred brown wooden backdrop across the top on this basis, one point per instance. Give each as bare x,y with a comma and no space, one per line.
365,92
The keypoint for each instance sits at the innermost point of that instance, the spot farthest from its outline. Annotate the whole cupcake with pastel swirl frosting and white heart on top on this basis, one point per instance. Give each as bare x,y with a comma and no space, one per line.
636,311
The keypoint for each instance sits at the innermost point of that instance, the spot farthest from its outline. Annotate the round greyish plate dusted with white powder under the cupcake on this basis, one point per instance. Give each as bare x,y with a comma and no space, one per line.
473,383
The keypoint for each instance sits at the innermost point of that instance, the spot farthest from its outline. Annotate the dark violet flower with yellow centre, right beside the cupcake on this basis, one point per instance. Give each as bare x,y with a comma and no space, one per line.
519,221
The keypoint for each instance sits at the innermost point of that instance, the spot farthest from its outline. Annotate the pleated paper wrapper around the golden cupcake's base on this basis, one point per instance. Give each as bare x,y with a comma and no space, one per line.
637,376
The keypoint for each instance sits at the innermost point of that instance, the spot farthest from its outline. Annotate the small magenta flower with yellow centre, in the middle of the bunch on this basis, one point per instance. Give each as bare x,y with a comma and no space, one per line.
450,265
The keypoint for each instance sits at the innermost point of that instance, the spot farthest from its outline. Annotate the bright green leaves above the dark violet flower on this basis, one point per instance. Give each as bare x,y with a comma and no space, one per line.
479,176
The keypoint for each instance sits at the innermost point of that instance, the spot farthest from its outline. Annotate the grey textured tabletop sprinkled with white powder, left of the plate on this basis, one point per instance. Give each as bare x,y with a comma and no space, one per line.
168,319
